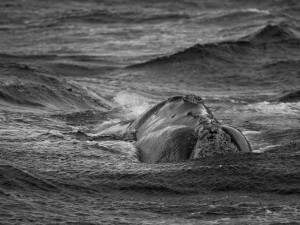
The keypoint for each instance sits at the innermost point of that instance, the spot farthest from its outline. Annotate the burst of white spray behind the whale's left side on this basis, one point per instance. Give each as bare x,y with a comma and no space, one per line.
132,103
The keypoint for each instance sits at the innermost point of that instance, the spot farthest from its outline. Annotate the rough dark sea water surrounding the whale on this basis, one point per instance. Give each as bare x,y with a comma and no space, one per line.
69,68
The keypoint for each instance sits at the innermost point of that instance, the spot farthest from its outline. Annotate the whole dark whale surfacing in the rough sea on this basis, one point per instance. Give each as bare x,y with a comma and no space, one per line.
178,129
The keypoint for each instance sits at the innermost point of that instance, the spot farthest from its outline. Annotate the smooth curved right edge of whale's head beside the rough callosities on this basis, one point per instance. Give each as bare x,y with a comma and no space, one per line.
238,138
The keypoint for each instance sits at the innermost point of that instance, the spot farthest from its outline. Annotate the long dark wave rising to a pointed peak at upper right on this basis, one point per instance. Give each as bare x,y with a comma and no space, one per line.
227,51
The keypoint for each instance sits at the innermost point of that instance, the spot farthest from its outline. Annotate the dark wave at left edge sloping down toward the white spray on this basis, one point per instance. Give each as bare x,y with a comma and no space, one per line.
28,86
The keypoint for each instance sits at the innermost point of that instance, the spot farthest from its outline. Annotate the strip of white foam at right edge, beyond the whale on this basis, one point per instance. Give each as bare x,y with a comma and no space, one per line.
276,108
